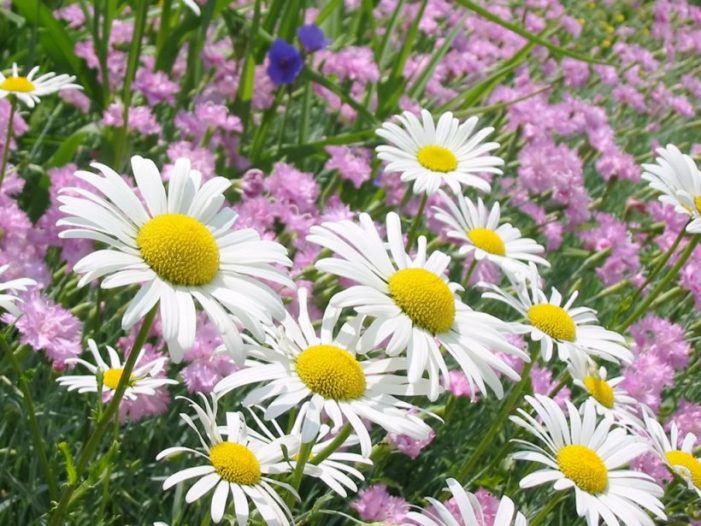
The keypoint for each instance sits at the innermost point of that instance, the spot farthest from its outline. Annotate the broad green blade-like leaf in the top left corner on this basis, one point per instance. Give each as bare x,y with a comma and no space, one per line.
58,45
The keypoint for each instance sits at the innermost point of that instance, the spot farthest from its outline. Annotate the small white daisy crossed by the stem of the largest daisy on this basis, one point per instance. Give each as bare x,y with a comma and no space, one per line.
143,380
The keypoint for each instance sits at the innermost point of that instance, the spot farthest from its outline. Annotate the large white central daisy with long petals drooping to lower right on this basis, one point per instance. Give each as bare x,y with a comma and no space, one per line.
412,304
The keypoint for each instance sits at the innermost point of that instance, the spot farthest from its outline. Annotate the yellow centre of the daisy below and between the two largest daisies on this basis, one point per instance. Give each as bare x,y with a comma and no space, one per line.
332,372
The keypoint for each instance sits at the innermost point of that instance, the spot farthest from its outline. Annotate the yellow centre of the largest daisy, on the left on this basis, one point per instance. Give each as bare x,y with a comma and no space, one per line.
179,249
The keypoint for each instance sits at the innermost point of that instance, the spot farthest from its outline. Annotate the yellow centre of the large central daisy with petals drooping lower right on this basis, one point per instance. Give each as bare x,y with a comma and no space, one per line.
424,297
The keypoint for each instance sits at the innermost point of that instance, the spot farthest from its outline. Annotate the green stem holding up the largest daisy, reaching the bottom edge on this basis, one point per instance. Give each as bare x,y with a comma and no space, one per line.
105,421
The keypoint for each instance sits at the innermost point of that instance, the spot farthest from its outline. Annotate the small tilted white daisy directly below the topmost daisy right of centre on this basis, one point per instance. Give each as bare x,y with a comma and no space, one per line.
479,232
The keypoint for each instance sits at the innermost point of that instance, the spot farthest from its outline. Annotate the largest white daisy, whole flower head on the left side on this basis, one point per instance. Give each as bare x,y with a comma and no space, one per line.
181,248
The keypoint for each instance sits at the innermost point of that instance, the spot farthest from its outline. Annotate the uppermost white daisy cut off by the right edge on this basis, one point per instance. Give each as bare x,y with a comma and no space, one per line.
678,178
